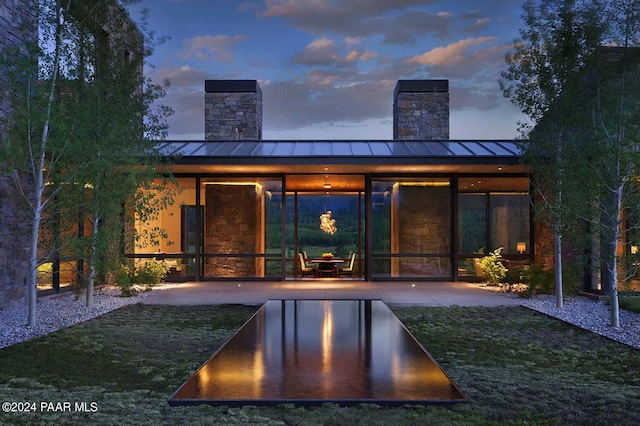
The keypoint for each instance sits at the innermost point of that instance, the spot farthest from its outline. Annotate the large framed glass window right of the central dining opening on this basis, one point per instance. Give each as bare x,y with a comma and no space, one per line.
411,228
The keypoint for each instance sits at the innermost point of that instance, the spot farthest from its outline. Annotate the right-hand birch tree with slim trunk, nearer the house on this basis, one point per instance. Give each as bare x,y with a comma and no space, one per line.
543,80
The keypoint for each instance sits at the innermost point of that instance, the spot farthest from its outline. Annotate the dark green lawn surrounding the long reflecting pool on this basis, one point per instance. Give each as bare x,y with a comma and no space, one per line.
519,368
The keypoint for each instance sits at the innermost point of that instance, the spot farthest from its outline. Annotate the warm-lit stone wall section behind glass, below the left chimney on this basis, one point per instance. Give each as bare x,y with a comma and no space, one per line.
234,224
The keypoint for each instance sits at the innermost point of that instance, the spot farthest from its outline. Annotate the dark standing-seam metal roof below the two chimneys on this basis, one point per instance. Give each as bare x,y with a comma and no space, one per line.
344,151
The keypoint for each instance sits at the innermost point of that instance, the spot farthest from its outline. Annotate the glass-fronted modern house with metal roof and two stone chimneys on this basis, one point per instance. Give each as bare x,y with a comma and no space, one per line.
418,207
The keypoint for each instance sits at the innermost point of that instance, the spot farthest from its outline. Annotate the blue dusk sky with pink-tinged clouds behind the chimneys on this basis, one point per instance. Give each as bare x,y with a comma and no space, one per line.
328,68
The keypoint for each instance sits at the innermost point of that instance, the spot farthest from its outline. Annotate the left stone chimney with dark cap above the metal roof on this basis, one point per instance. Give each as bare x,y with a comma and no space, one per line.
232,110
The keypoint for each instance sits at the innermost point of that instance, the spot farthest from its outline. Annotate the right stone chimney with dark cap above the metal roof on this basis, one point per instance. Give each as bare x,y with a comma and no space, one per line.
421,110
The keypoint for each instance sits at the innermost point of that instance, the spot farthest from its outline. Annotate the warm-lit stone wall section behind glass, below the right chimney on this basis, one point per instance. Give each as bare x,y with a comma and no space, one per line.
421,224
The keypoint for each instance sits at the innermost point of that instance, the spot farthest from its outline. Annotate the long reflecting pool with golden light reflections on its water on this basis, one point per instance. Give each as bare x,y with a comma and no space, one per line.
320,350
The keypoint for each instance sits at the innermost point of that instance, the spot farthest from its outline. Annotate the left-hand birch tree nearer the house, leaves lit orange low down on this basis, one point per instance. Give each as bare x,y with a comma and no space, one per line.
119,123
